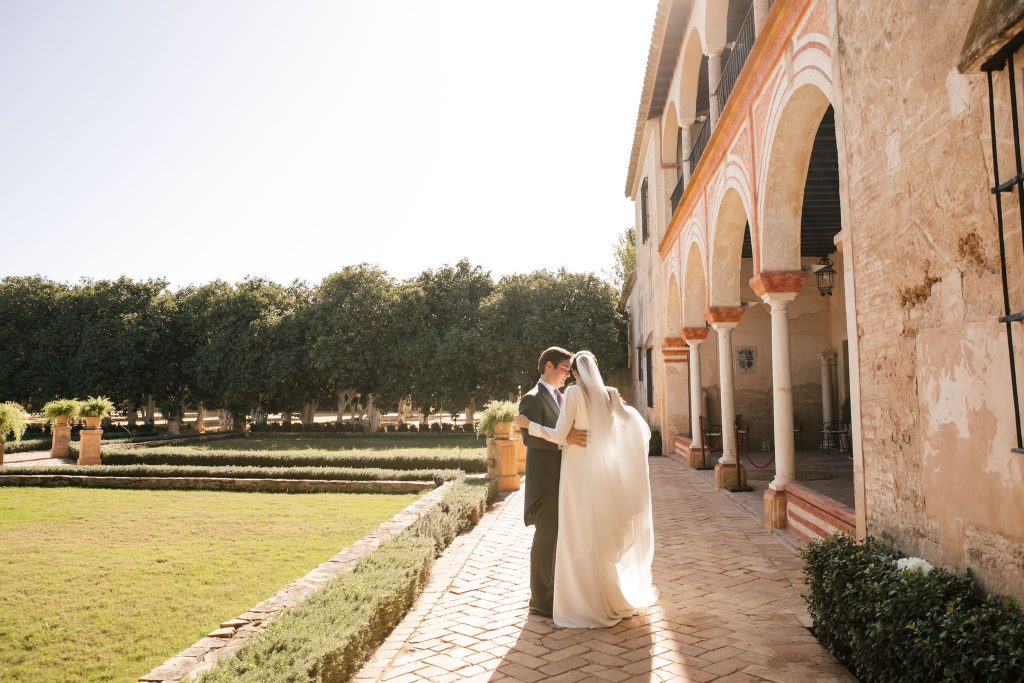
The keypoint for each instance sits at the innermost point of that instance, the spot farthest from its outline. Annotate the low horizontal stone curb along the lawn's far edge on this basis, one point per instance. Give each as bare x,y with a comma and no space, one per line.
218,484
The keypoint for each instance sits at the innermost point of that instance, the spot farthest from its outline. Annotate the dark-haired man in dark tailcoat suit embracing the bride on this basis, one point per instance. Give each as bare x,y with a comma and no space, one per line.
542,405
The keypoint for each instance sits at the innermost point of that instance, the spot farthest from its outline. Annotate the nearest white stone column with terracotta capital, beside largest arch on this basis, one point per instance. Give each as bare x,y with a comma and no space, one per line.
778,290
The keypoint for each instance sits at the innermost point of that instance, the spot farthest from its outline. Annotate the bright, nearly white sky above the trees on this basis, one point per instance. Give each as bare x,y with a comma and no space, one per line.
195,140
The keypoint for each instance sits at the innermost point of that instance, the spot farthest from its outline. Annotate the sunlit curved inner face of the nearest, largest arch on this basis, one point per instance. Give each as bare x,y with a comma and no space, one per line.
788,154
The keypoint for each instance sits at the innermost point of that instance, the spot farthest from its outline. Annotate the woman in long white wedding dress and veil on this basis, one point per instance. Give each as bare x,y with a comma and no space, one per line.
606,536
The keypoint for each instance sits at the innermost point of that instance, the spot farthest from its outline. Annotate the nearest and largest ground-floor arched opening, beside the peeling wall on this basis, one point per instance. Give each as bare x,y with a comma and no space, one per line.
802,231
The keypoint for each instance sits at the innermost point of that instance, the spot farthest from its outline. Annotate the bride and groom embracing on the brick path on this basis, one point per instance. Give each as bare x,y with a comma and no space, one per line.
588,496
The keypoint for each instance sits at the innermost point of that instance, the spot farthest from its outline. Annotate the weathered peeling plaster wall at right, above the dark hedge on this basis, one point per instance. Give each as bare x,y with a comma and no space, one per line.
937,419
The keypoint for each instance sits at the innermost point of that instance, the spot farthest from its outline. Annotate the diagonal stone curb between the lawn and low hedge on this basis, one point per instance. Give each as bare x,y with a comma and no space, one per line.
227,641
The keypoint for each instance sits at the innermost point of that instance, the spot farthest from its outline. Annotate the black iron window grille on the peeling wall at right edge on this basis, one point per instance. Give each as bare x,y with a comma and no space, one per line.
1005,61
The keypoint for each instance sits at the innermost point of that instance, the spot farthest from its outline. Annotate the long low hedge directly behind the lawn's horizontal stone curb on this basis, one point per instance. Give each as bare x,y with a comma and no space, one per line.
330,474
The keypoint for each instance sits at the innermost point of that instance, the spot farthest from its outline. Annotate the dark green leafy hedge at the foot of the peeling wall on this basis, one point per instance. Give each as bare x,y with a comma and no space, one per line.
885,624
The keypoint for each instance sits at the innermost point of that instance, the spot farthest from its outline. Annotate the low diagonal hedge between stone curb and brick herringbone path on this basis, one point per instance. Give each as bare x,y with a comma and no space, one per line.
329,636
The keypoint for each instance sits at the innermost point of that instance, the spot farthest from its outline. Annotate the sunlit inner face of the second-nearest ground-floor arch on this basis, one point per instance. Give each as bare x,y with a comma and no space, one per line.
729,226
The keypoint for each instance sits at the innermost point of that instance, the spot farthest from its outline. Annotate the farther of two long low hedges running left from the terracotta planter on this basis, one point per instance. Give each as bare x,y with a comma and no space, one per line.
470,463
